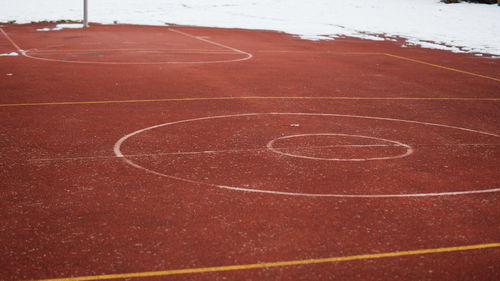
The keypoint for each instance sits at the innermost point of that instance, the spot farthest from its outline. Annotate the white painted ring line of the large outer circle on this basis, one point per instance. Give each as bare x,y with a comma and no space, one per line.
118,153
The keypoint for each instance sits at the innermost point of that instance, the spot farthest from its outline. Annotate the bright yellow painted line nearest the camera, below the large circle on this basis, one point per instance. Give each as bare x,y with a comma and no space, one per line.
279,264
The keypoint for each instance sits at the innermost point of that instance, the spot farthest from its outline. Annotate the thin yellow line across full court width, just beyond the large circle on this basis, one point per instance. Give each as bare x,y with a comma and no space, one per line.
249,98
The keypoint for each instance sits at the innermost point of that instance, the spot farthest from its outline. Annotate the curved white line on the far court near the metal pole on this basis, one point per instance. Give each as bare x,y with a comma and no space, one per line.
234,50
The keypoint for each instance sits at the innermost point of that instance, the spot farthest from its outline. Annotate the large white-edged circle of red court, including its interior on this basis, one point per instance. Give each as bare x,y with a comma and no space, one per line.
192,162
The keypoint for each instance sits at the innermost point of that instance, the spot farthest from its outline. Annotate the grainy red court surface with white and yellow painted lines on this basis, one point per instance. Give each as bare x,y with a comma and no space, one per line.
183,153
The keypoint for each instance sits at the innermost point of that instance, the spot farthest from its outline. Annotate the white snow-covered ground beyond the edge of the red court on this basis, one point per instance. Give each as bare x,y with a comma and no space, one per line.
463,27
